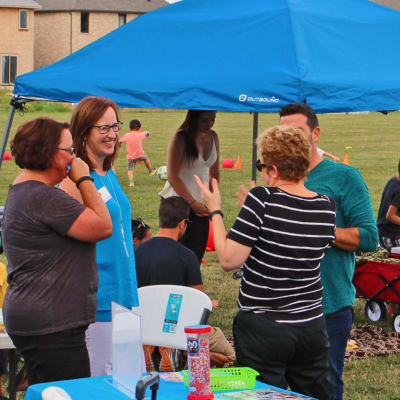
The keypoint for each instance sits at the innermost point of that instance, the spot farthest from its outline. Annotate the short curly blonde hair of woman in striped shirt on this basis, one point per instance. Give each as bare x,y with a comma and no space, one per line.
288,149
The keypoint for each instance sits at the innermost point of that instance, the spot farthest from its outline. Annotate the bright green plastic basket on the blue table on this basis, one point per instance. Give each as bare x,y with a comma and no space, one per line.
229,378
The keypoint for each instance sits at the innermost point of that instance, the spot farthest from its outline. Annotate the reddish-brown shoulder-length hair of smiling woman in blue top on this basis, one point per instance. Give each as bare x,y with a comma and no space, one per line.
86,114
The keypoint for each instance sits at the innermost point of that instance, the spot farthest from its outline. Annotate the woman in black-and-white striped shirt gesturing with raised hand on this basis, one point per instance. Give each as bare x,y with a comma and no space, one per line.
281,234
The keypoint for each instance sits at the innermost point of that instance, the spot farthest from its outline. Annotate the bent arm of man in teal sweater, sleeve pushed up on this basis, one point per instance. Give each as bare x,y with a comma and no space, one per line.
361,233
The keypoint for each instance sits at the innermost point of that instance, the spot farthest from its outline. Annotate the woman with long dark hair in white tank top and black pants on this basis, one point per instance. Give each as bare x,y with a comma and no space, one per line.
193,150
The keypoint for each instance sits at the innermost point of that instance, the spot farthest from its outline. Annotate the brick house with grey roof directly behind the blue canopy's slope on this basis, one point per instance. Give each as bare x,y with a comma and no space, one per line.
65,26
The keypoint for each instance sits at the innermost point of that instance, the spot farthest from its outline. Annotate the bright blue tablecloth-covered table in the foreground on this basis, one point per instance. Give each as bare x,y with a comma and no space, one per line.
99,388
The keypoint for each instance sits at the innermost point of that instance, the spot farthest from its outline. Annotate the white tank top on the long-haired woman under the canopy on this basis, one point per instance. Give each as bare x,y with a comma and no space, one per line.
200,167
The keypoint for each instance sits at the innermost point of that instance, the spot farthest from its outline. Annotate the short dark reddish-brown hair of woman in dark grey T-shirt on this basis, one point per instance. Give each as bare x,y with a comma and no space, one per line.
35,142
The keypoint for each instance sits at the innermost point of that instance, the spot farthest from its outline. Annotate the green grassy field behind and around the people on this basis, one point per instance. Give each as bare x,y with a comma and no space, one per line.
371,141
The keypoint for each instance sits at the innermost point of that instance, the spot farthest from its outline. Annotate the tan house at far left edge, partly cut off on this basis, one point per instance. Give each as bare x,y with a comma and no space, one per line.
16,39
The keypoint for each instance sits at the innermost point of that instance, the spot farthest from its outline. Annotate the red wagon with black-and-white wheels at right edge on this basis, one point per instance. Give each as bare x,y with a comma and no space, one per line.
379,283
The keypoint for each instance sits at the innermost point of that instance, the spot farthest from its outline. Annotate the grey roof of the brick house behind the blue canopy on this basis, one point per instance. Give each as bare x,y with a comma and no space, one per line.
125,6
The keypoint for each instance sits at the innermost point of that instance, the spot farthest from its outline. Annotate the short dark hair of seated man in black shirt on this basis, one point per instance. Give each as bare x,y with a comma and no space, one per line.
173,210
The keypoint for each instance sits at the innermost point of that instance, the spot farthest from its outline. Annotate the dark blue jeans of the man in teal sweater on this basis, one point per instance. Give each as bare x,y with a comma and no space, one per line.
338,326
